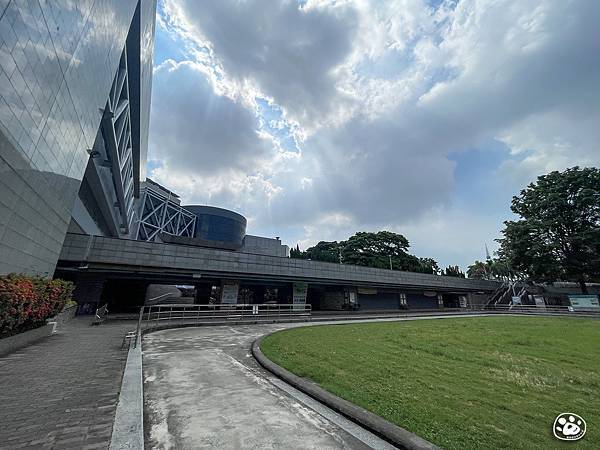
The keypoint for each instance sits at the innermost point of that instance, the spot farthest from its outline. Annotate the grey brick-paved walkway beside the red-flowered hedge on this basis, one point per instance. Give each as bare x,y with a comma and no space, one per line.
63,391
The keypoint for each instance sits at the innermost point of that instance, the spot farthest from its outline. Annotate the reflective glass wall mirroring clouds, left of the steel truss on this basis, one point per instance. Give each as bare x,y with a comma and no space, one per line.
58,60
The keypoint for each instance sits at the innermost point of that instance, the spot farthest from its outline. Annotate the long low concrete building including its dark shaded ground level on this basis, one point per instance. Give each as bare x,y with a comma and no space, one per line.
118,272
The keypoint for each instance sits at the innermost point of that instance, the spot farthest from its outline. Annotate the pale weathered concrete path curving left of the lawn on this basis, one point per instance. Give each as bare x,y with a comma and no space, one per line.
203,389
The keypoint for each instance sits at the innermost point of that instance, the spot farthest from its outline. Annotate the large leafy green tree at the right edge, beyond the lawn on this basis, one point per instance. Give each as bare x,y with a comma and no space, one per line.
558,234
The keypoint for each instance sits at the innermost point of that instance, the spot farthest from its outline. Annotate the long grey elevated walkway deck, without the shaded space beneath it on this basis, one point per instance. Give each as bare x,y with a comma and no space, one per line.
188,264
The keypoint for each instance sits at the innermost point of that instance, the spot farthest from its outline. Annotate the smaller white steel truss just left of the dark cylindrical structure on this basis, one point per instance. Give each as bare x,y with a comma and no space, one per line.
160,214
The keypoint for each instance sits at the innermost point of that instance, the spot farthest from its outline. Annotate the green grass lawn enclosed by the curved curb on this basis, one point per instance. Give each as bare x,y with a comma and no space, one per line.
488,382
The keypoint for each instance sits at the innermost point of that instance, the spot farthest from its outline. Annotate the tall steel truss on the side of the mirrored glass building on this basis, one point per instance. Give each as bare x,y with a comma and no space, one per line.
116,129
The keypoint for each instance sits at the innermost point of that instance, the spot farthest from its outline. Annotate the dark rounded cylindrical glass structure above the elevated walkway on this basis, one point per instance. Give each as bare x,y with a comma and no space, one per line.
219,225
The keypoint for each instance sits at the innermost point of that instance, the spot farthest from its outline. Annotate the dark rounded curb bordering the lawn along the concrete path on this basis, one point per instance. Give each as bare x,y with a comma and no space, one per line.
393,434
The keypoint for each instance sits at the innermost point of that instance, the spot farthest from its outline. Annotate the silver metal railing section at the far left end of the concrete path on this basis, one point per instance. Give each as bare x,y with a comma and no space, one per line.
153,316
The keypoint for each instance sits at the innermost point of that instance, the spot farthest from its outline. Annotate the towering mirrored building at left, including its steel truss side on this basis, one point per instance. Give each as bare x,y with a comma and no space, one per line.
75,86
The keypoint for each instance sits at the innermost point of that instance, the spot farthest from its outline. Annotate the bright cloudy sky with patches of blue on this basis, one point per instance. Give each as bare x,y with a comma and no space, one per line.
316,119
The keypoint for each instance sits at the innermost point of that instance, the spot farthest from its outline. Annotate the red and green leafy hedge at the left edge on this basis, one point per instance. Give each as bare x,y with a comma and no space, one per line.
27,301
